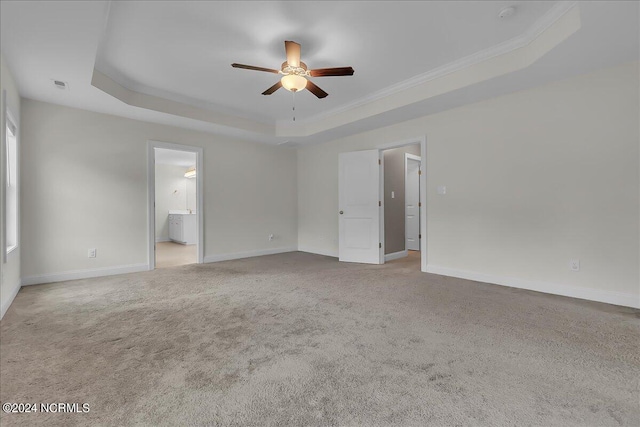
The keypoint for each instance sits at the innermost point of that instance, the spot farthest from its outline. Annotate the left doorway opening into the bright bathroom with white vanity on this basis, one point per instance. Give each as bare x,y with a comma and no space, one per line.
175,205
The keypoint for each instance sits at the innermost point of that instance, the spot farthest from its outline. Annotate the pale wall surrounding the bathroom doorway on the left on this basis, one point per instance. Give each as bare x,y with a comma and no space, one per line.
86,187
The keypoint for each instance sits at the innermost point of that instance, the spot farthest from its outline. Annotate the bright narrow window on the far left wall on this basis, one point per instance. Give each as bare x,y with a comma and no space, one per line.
11,205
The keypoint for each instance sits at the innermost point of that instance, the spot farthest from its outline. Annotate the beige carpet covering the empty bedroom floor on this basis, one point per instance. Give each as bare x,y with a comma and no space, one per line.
302,340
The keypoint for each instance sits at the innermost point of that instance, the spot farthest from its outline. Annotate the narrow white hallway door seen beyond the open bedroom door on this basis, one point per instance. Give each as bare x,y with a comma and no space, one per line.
412,202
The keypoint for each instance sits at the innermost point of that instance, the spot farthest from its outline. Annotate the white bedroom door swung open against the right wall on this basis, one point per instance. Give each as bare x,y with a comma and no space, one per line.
359,207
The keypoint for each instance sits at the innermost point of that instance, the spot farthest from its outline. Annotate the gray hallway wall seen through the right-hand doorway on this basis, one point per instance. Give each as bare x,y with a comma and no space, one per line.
394,208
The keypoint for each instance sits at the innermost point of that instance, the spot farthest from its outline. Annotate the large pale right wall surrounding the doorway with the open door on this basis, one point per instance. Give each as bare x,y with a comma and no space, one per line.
533,178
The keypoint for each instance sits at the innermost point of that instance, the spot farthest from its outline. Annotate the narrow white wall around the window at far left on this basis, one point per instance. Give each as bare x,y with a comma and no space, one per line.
9,272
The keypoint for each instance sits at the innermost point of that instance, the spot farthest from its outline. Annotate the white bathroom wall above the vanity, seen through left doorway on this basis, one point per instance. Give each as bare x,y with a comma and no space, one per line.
173,192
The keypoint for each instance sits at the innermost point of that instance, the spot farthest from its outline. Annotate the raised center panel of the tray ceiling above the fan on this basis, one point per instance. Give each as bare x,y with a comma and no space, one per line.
184,52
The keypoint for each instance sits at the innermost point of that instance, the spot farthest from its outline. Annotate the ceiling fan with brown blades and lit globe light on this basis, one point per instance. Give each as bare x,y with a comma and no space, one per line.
295,73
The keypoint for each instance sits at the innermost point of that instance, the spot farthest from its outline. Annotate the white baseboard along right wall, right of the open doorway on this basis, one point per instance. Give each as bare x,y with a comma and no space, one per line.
609,297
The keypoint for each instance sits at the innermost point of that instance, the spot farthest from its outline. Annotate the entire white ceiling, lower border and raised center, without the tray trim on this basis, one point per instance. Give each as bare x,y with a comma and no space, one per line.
182,51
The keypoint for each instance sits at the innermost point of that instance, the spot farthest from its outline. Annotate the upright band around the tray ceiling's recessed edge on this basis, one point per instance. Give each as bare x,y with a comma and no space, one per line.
562,20
